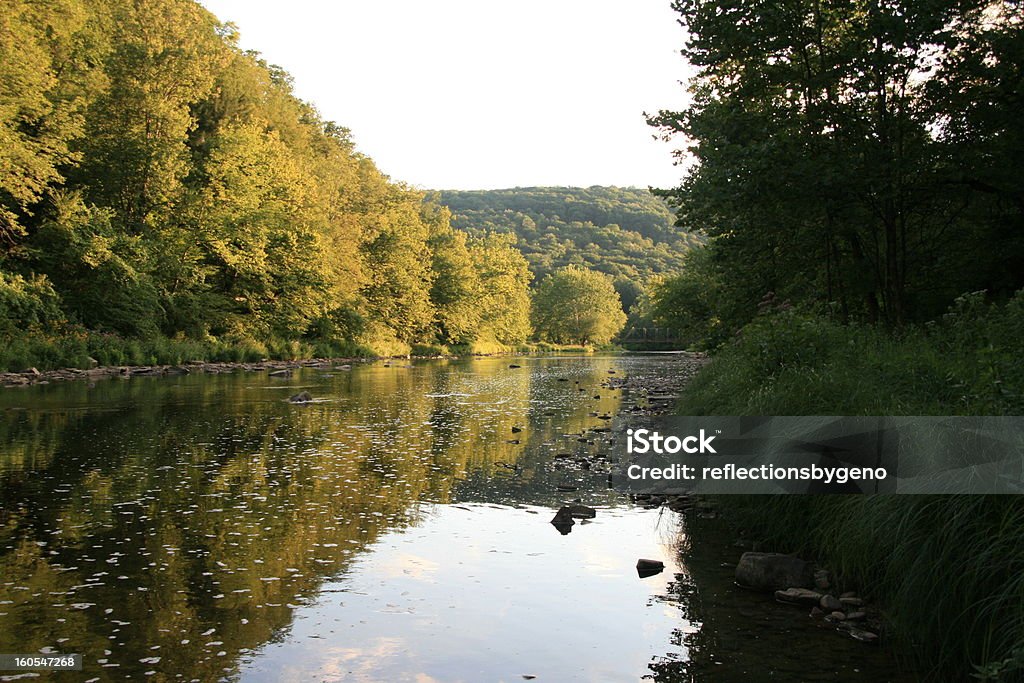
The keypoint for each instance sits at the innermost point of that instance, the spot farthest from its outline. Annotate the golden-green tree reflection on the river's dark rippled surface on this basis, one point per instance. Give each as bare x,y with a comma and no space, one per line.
166,508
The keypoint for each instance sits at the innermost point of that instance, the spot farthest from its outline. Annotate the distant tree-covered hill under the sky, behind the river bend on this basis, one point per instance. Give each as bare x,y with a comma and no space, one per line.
625,232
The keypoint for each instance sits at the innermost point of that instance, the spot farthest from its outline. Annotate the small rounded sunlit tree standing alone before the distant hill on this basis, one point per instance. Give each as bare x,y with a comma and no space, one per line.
575,306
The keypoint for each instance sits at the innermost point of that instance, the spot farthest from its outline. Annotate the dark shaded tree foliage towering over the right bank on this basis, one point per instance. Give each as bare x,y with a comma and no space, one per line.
856,157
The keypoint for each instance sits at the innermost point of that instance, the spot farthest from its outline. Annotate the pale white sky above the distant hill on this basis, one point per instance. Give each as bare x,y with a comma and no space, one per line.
481,95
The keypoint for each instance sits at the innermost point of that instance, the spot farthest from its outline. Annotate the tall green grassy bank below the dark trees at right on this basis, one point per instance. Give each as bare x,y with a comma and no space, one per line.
949,571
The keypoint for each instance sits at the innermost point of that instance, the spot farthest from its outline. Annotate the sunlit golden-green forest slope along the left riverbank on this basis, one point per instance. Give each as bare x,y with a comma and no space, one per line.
164,196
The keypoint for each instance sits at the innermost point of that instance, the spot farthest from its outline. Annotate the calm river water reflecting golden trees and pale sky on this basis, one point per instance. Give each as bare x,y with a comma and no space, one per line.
201,528
